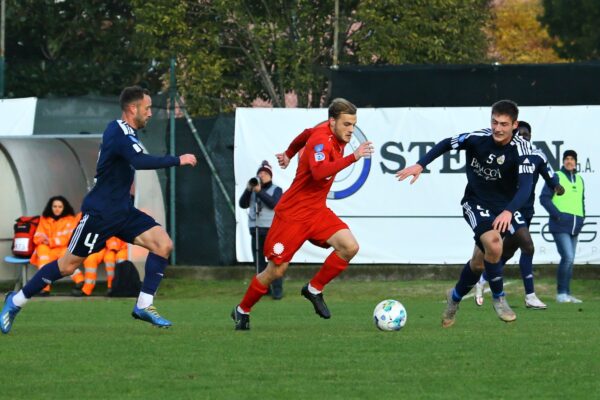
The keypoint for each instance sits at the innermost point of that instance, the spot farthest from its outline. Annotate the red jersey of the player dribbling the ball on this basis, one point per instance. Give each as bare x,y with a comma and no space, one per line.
322,158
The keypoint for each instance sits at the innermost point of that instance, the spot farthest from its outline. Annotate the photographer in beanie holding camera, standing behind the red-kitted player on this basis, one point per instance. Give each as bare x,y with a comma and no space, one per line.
260,198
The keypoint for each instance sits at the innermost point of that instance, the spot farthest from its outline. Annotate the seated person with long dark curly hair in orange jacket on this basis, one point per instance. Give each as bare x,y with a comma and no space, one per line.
52,236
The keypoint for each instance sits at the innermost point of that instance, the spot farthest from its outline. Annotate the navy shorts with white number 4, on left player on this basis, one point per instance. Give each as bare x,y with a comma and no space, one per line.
93,231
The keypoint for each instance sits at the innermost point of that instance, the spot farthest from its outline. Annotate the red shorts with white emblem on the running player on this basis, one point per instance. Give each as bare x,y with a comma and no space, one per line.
286,237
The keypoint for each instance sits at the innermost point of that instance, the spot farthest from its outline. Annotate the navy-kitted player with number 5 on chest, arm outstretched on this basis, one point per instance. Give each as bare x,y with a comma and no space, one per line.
499,182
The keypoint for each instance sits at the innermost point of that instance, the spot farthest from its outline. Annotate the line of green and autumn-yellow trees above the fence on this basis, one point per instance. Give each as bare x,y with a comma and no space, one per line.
232,53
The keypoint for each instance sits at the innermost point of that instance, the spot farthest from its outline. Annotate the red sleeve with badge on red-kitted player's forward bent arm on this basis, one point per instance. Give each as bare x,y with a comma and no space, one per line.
322,160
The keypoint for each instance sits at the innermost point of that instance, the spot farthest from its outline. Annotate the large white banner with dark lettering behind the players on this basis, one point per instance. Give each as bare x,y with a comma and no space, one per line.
395,222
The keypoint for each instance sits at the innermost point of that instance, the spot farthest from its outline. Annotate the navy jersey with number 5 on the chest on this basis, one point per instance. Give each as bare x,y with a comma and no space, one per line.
498,177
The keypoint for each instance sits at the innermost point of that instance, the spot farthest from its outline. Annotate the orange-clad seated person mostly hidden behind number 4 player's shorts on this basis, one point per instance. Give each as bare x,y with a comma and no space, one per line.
114,251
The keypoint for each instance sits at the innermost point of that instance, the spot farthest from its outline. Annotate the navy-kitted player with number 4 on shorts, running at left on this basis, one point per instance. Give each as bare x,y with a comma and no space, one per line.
108,211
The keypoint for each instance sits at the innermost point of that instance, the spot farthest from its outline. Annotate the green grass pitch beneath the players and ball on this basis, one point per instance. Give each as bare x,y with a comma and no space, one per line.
92,349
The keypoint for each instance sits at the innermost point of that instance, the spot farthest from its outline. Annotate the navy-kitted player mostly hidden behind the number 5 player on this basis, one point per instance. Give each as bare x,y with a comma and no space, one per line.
522,238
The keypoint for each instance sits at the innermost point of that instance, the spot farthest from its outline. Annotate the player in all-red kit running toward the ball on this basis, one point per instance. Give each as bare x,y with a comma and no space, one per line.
302,212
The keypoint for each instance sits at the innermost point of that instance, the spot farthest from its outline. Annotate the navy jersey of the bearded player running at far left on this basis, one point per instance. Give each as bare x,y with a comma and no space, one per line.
120,155
